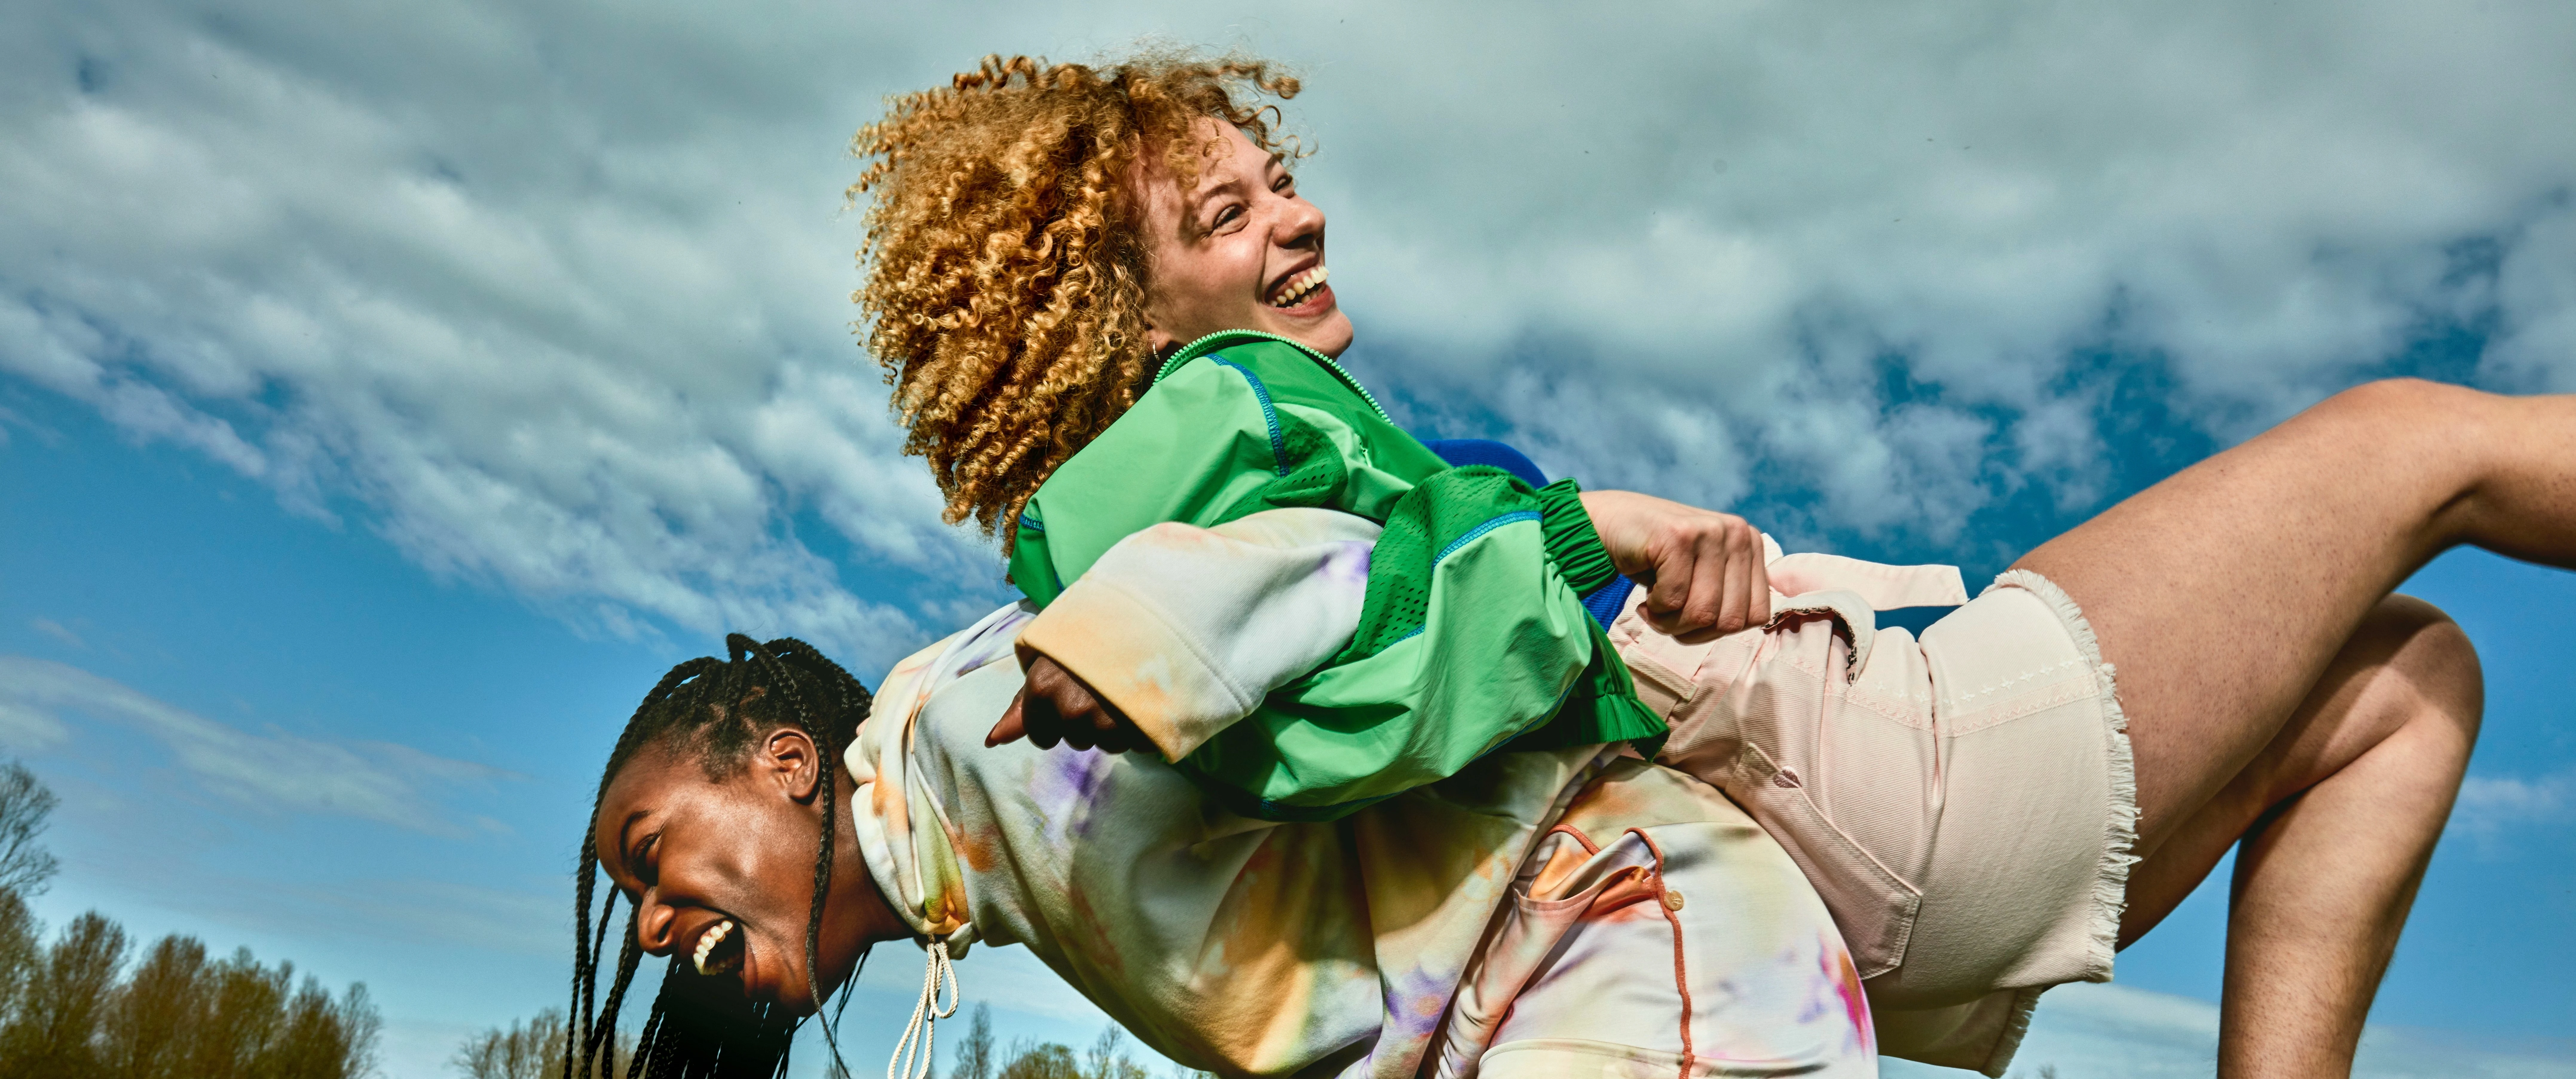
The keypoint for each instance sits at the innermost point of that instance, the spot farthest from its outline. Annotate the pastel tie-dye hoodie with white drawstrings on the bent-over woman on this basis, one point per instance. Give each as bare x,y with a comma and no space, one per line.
1238,944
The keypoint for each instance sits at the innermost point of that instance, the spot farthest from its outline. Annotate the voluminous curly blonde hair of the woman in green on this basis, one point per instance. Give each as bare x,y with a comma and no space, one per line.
1006,261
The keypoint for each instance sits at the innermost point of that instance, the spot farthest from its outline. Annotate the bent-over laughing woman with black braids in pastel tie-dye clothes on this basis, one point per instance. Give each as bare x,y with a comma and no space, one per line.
1364,946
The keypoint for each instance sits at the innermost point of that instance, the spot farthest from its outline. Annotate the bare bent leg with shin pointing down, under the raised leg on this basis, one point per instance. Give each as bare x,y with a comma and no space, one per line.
2340,815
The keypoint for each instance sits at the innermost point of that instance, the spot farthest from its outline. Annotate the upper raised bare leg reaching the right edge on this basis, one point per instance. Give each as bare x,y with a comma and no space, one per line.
2224,594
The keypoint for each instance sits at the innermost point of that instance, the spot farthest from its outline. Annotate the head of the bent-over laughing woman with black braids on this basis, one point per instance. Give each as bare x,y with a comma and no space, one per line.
707,727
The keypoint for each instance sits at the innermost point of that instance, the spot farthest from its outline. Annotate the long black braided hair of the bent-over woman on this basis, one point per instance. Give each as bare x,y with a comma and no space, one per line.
712,709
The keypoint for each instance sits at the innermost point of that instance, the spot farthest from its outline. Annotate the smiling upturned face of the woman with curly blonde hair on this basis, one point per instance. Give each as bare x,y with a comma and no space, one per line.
1240,251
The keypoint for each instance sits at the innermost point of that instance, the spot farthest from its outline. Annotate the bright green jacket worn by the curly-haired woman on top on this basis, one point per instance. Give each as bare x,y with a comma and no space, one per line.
1472,635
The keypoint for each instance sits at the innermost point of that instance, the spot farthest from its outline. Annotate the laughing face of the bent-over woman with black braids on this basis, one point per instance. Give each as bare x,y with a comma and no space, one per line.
723,872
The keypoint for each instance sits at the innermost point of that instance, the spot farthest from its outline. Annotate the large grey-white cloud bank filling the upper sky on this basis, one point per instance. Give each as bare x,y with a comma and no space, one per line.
555,300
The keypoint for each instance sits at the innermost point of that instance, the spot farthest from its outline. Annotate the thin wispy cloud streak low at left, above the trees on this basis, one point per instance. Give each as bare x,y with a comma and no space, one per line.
272,771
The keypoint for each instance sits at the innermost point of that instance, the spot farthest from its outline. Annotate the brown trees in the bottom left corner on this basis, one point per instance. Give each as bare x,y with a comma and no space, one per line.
79,1008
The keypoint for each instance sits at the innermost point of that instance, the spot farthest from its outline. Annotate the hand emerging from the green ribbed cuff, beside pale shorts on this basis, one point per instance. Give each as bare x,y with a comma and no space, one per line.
1701,568
